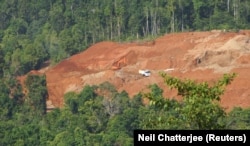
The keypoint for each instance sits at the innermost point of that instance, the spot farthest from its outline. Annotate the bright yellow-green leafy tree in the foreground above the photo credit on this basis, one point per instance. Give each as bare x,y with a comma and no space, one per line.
200,108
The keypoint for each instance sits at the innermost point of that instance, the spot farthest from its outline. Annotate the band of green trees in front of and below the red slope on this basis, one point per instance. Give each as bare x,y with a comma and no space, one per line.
88,118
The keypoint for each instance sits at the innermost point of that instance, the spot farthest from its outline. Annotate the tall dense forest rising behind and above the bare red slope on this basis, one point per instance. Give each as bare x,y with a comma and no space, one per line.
57,29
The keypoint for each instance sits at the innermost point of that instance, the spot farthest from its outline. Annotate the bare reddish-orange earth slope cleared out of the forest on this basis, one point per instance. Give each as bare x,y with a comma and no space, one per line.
202,56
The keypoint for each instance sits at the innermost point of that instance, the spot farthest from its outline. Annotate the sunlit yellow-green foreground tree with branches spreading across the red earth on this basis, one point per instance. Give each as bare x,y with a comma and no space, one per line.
198,110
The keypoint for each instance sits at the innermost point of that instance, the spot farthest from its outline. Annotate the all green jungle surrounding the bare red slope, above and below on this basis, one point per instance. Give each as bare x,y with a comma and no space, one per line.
35,31
